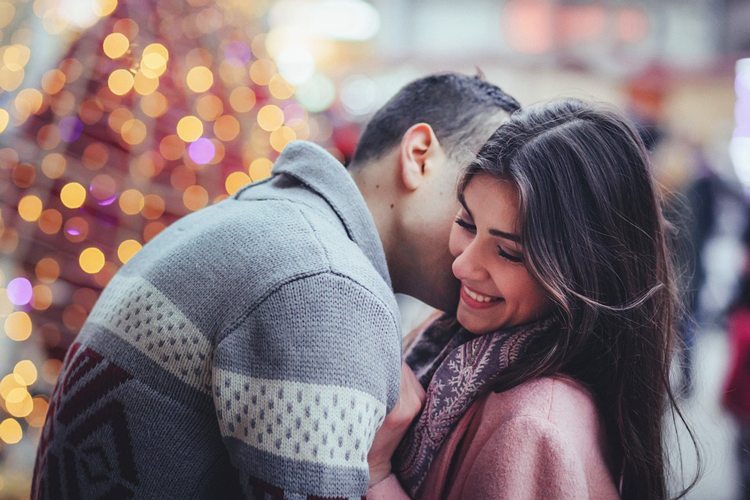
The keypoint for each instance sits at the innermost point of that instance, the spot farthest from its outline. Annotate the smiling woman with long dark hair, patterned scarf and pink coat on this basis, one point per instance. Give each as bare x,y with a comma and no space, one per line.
556,380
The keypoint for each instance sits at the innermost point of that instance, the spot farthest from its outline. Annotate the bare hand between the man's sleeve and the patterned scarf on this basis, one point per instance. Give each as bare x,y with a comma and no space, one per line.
395,425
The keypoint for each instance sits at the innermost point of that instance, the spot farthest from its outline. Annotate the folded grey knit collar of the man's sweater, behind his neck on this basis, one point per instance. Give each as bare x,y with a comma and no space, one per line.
325,175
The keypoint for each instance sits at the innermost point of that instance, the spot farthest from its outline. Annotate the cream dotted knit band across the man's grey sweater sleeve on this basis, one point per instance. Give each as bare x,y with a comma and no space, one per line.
314,423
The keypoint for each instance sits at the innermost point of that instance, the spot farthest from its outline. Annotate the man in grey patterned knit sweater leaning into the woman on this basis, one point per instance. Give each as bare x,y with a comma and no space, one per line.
254,346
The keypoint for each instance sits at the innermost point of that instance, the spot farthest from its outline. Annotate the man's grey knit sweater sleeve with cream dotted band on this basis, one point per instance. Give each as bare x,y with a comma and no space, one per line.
302,384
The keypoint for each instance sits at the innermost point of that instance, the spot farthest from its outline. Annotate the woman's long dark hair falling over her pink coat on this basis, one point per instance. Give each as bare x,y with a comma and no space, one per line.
595,238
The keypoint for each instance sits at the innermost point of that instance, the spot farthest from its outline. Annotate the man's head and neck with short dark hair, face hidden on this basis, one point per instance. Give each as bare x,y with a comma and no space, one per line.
407,163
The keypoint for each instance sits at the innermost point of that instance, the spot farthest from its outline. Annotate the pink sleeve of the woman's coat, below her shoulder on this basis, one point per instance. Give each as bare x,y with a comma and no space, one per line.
527,458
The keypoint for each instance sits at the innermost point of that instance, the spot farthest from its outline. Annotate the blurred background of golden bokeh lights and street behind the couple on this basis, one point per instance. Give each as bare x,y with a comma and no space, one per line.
118,118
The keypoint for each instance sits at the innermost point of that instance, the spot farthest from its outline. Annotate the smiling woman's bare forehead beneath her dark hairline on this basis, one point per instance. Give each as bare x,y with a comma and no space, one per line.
493,202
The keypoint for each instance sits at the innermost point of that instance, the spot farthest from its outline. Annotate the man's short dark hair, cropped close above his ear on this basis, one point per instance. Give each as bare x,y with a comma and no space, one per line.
459,108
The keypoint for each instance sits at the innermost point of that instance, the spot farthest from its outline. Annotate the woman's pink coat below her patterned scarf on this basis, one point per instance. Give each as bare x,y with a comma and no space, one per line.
540,440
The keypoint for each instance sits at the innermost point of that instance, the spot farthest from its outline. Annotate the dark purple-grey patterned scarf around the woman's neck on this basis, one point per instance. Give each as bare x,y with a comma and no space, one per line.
459,367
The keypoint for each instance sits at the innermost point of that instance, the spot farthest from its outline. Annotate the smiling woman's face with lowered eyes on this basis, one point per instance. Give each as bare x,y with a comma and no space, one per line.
496,288
